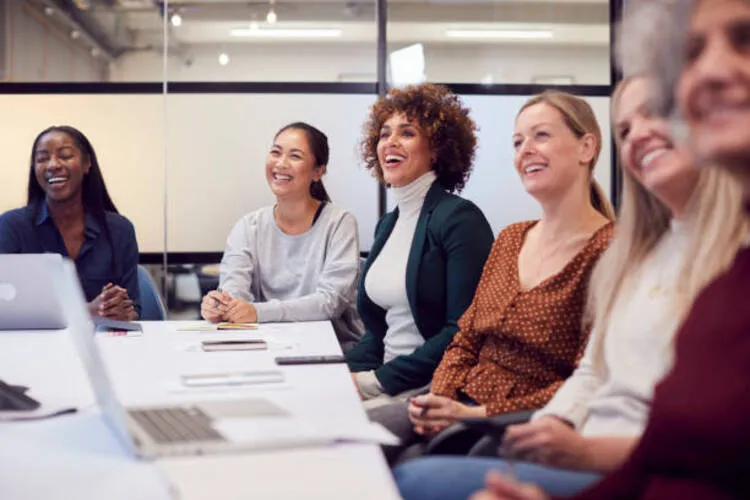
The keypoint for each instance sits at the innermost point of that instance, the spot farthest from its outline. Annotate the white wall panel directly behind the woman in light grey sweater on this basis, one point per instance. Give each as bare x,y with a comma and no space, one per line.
217,146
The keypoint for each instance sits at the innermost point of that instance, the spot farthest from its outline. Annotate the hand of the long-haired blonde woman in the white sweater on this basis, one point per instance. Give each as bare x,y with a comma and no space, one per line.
548,441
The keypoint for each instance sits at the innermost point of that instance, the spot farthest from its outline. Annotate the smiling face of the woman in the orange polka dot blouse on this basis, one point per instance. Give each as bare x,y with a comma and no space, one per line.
549,158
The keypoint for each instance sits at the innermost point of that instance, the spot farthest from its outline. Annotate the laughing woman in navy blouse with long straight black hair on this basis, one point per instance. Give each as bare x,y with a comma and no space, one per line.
69,212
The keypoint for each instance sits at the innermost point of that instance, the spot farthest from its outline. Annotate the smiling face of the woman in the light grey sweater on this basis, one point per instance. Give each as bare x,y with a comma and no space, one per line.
291,165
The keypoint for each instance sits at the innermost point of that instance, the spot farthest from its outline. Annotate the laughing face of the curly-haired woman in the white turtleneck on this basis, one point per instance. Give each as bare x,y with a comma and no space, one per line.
403,151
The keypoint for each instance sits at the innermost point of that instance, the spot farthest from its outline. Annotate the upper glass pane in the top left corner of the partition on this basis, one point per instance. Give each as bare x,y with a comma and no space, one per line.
75,41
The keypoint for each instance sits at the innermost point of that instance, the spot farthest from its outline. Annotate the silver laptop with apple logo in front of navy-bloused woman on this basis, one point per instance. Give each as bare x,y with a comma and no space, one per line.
27,294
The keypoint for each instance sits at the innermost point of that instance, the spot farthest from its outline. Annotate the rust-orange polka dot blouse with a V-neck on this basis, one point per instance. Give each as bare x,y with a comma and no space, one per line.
515,348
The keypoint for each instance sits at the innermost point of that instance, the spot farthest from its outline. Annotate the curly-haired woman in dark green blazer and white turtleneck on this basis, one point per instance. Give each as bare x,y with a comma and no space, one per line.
428,253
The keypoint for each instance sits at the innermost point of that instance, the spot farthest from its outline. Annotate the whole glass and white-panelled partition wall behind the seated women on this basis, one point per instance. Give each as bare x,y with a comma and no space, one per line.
183,167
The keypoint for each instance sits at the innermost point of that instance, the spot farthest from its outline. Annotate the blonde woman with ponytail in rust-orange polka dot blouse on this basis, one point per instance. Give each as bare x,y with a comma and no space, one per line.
523,333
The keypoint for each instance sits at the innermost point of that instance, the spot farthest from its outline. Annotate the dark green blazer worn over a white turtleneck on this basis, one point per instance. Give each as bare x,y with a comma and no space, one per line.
451,243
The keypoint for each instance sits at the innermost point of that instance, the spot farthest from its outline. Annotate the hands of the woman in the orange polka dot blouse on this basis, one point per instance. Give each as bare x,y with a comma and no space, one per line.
431,413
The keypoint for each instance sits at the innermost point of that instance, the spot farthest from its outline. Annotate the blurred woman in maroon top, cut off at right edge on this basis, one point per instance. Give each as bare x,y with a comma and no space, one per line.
696,440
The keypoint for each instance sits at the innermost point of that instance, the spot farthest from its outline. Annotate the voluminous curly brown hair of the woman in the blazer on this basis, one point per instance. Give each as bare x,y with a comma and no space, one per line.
441,117
